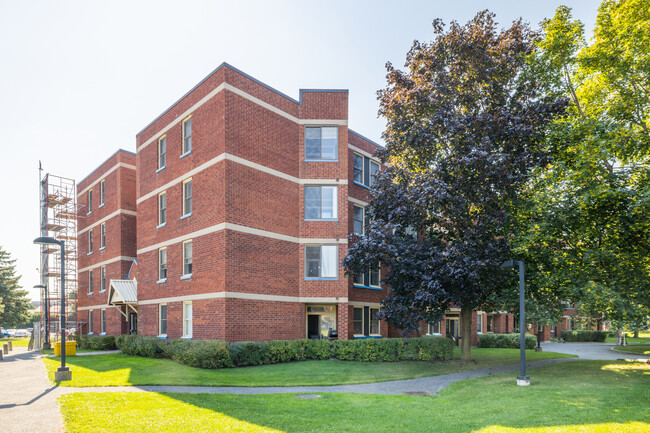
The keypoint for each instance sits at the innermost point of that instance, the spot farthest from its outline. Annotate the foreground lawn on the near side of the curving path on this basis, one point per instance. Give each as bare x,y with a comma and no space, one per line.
582,396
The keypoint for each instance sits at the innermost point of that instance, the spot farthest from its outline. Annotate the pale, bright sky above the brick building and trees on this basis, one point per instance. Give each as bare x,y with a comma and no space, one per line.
79,79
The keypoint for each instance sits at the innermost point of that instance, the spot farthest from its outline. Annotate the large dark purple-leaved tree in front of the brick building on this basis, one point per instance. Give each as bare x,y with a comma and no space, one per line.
464,128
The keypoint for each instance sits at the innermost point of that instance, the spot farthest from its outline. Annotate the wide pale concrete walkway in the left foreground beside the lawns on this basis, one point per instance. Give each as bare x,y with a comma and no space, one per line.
27,400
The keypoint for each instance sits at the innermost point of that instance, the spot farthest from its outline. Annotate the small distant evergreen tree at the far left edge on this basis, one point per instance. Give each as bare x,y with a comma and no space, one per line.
14,305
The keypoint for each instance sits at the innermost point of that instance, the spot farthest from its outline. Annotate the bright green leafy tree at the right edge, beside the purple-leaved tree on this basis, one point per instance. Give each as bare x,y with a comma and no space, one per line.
586,227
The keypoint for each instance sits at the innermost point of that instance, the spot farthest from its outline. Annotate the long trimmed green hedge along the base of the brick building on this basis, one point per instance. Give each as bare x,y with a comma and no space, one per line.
219,354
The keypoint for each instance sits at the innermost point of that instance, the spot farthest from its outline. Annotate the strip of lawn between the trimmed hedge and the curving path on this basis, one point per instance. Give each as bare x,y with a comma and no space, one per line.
120,369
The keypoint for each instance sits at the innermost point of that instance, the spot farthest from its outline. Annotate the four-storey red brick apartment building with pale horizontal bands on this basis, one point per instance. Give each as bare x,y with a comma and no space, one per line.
237,205
